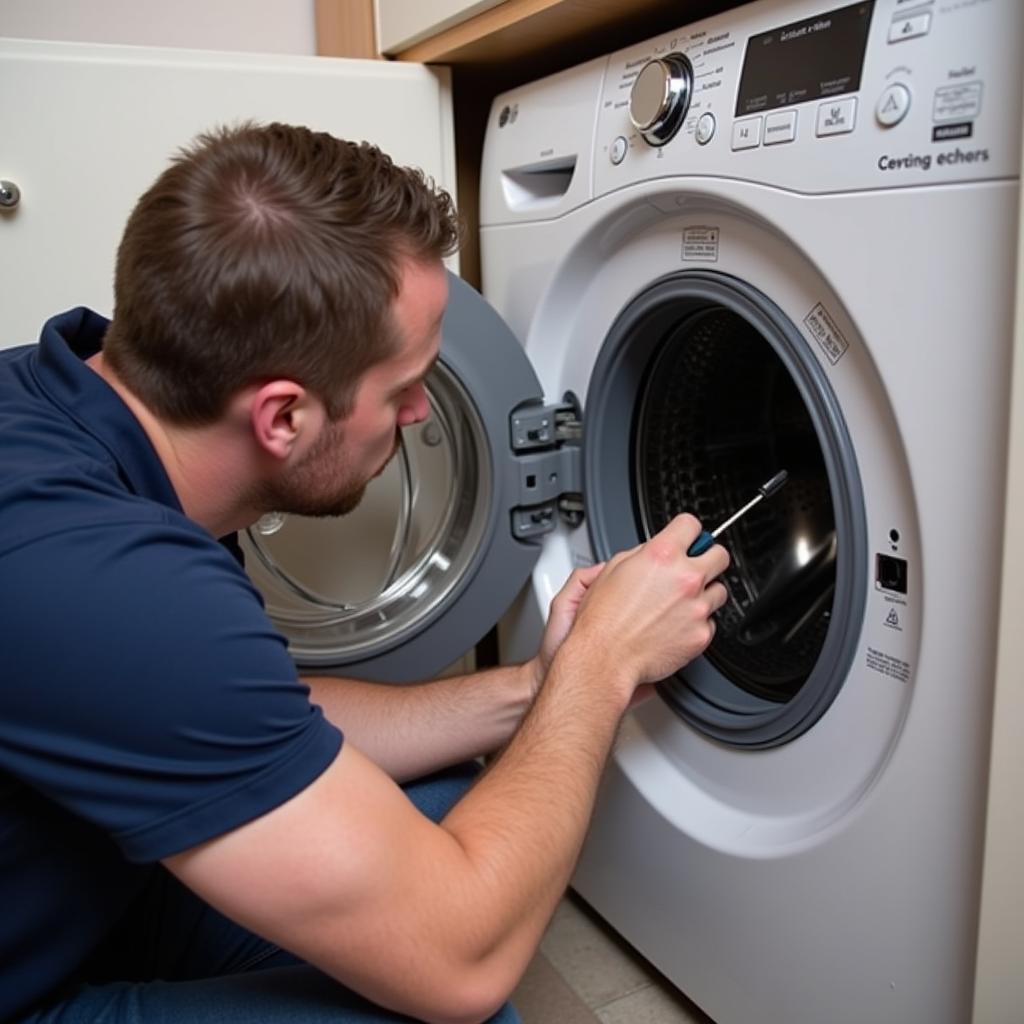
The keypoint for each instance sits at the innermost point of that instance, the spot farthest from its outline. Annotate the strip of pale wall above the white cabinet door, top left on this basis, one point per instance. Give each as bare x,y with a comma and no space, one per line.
259,26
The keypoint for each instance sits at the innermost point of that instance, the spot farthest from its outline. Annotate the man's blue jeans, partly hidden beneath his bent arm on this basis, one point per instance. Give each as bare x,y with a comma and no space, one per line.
177,960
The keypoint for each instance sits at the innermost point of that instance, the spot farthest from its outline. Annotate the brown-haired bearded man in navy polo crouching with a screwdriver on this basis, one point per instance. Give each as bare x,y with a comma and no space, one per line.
187,836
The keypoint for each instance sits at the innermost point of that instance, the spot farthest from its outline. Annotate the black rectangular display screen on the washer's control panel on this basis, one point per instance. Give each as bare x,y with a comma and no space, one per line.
809,60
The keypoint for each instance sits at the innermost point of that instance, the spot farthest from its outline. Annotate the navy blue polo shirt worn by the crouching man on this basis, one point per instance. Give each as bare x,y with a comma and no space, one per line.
147,703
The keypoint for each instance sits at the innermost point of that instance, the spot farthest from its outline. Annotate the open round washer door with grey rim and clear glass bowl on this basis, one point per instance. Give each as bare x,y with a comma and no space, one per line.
418,574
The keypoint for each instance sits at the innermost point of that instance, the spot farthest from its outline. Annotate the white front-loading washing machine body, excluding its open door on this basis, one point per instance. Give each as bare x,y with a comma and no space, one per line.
813,855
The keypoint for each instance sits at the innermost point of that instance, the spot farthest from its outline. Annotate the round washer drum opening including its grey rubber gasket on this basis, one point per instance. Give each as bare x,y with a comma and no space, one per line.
720,394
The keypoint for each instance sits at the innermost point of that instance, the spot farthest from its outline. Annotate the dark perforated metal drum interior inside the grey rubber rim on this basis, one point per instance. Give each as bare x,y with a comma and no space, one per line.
719,416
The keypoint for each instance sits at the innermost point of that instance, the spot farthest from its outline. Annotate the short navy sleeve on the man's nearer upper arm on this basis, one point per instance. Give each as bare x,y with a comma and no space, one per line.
148,692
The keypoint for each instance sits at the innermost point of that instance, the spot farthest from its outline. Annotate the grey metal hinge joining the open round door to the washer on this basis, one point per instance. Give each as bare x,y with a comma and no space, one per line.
546,441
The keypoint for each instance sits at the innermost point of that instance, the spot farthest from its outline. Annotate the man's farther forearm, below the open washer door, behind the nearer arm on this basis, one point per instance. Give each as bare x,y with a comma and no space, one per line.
412,731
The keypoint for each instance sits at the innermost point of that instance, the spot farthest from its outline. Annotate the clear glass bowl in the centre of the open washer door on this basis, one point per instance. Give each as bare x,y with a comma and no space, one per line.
346,589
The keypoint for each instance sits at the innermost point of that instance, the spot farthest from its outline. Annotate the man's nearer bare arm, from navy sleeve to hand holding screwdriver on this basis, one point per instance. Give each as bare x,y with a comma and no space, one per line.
440,922
